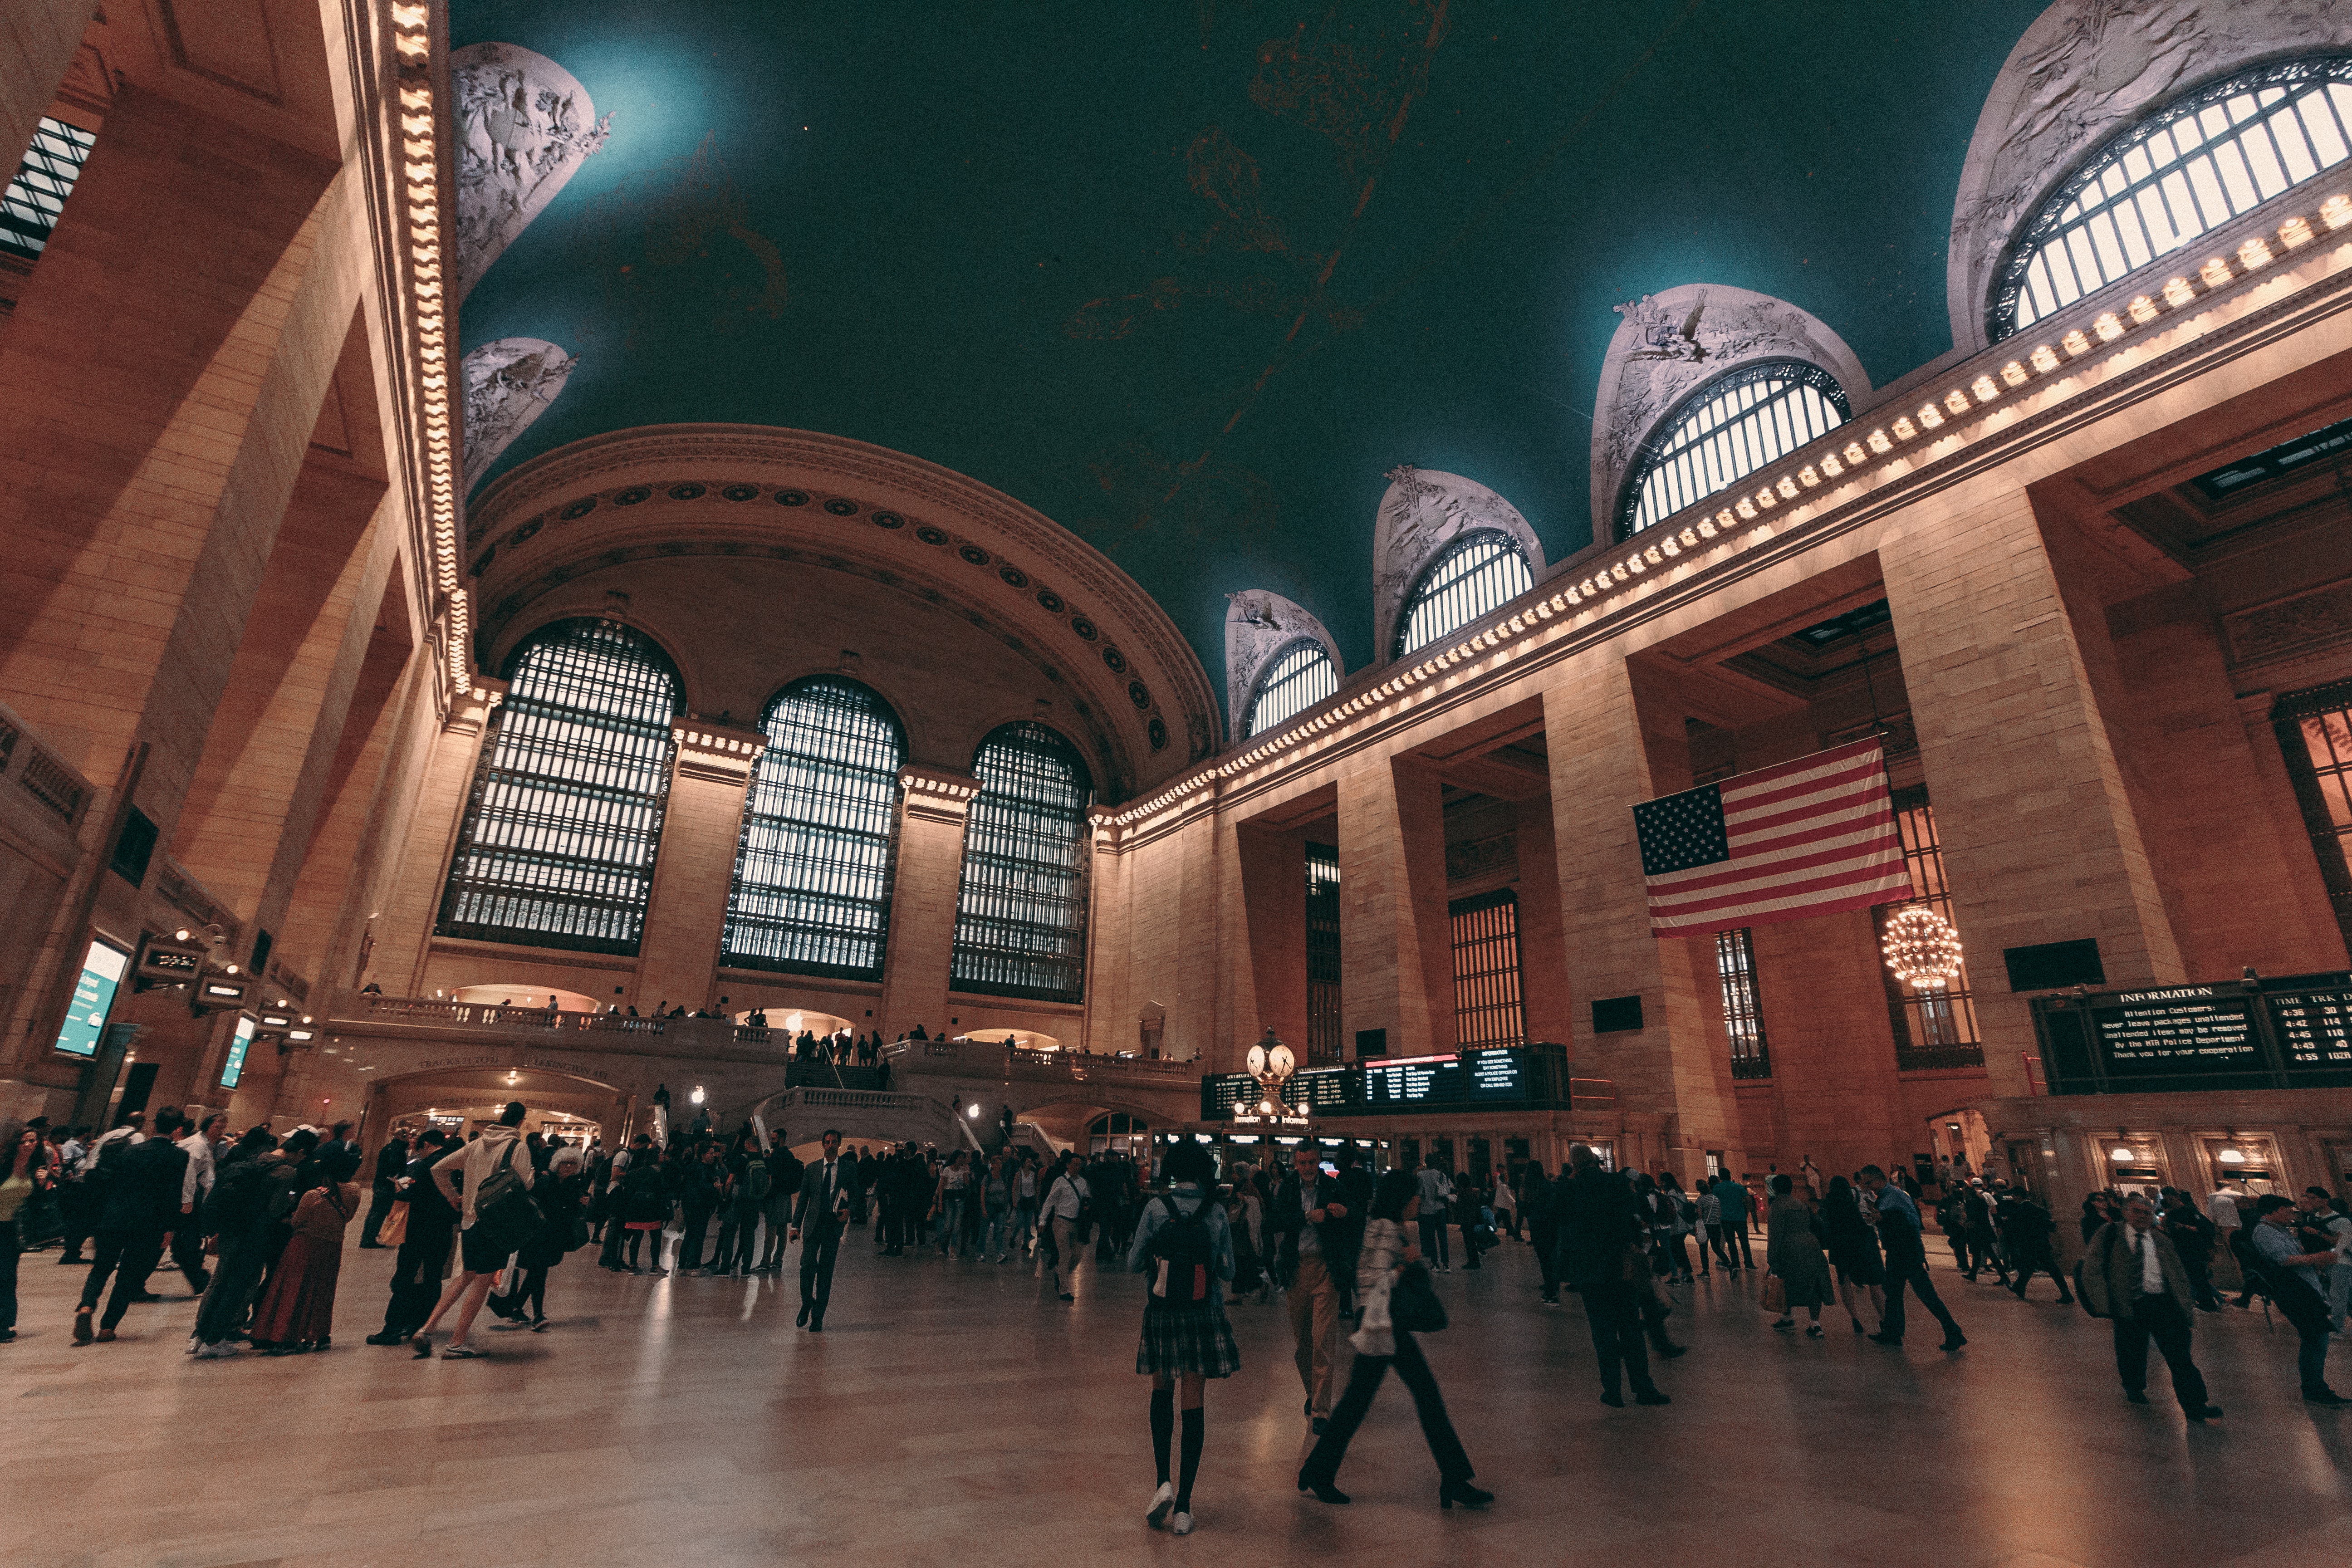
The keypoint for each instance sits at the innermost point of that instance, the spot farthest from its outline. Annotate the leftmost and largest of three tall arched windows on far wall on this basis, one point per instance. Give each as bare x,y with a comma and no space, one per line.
566,815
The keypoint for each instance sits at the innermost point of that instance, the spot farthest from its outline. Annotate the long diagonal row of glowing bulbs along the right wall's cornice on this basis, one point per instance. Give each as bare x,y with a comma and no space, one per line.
1659,549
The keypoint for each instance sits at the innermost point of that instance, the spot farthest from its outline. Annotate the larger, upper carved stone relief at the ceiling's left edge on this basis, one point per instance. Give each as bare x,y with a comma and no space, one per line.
523,128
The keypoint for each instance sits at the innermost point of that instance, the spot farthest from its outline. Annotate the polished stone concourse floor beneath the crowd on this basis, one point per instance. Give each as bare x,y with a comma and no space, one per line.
958,1414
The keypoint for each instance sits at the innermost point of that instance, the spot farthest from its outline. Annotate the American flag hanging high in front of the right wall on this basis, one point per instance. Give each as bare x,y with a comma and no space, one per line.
1784,843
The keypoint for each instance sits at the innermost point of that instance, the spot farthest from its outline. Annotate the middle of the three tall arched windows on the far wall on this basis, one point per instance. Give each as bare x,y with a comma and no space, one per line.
813,866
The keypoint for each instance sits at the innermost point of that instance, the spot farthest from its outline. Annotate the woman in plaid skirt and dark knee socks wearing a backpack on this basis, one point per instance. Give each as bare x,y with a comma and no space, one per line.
1187,1336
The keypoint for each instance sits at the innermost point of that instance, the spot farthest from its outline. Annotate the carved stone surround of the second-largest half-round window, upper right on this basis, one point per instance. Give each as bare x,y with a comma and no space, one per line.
1676,342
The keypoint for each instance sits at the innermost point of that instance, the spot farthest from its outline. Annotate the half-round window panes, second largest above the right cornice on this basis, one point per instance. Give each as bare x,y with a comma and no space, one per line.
1725,431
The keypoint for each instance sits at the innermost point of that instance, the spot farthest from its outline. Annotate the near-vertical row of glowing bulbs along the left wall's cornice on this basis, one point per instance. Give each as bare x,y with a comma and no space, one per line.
420,185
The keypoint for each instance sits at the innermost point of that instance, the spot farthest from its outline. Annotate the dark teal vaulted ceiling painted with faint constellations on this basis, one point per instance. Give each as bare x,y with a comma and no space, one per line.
1189,276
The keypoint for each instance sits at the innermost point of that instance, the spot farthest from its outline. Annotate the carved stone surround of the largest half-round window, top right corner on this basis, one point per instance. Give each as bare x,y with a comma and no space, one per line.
2085,72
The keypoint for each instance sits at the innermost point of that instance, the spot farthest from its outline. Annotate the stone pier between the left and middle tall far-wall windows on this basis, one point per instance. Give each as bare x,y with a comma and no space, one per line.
695,866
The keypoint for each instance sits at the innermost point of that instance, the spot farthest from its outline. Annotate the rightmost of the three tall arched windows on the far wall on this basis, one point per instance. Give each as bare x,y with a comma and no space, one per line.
1022,916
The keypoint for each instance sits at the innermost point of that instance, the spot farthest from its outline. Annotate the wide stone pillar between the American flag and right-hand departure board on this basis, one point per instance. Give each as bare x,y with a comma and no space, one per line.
2036,819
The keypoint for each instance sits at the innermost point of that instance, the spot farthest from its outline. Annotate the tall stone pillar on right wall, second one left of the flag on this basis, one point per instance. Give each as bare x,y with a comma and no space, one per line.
1396,942
